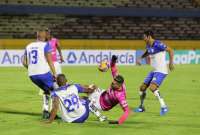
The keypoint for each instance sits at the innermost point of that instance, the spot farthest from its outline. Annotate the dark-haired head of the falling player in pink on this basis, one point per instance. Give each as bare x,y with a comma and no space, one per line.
117,82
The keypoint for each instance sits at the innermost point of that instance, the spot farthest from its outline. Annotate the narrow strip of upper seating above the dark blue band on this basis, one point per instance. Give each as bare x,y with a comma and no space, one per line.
178,4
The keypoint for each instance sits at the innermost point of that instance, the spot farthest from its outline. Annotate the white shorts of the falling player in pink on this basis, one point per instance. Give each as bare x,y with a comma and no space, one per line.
95,98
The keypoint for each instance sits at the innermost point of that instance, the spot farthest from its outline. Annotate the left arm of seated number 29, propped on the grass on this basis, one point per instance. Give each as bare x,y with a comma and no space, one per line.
54,110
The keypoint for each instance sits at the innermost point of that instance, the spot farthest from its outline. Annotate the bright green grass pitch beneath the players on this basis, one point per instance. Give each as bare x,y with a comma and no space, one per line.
20,104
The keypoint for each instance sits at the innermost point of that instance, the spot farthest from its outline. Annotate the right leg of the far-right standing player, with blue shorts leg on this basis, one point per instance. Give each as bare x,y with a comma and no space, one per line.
156,82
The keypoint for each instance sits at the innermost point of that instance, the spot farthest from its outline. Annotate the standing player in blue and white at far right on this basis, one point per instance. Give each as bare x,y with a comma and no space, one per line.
156,50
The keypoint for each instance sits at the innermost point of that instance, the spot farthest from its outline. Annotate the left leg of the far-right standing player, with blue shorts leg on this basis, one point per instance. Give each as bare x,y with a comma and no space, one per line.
142,92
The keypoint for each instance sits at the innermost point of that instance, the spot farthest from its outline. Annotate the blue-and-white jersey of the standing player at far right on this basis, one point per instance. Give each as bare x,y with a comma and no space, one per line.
157,55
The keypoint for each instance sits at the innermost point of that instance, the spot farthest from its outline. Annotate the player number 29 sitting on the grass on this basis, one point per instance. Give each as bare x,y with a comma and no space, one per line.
73,109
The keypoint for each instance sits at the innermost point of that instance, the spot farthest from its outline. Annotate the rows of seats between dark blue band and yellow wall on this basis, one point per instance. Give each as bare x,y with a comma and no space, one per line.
89,27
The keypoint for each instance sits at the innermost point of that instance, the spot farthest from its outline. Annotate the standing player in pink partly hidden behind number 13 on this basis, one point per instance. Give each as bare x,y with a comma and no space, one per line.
55,45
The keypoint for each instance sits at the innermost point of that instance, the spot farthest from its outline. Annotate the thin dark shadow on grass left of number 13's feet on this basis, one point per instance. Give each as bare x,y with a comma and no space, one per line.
20,112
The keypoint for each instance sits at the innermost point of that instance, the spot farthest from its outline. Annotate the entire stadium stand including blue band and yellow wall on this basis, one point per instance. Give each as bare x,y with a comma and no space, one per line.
116,22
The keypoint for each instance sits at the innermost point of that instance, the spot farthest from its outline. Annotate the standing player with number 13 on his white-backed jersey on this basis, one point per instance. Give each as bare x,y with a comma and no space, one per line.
37,59
